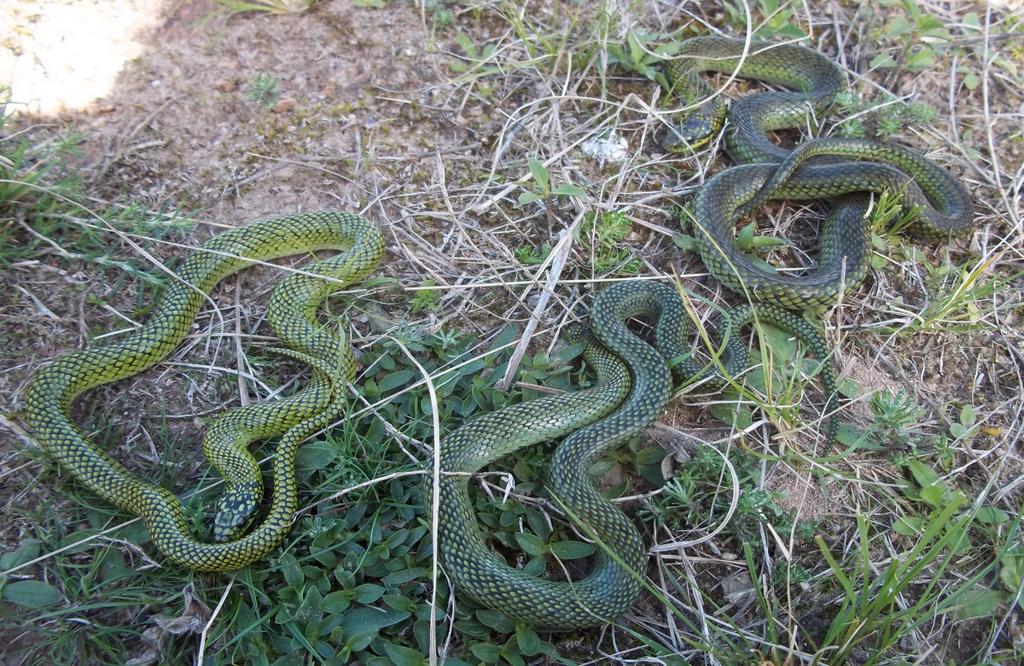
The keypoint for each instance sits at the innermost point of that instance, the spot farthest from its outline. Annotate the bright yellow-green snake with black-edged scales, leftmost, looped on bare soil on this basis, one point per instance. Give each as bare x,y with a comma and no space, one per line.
292,312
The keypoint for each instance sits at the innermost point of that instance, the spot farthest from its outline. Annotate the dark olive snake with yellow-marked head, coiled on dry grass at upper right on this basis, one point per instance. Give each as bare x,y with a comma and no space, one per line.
940,202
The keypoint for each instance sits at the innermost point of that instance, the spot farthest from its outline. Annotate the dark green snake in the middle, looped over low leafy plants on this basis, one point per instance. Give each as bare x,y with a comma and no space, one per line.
634,386
